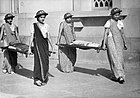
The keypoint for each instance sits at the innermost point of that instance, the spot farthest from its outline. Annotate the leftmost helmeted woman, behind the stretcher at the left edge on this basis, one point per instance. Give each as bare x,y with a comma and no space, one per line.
9,34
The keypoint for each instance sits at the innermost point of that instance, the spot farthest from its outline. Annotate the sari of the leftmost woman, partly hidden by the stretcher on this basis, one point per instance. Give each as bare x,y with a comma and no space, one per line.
10,57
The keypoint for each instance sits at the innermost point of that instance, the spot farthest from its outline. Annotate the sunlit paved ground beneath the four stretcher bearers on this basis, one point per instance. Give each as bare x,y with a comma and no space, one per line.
90,80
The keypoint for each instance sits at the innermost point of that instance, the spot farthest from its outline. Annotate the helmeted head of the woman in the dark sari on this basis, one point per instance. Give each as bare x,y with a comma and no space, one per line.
41,15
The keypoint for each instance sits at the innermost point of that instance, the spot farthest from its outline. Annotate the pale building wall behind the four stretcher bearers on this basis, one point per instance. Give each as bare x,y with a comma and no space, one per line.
92,27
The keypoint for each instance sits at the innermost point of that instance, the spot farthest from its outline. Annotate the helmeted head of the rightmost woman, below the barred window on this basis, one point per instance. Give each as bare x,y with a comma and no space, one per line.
115,13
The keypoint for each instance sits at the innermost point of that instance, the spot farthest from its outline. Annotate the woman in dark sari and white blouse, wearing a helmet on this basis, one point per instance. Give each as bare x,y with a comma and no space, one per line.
40,36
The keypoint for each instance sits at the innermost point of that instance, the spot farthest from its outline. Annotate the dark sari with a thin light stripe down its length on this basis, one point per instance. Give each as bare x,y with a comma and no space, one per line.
41,55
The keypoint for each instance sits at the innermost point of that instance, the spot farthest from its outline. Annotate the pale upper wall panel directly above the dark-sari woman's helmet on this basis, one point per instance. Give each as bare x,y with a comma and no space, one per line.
31,6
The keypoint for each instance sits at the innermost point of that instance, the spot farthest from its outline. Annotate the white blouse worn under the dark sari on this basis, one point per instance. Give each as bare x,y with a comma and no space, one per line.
44,29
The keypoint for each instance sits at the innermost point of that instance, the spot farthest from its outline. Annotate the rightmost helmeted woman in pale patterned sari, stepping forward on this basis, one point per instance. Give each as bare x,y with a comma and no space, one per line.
114,41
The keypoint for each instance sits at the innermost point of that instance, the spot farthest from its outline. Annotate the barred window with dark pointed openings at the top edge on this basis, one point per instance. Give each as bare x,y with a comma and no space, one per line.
102,4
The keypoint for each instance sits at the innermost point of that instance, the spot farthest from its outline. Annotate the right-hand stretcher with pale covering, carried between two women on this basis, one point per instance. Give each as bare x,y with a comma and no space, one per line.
85,45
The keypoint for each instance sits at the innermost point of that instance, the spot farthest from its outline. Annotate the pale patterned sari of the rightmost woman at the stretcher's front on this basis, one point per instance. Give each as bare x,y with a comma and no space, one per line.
115,50
